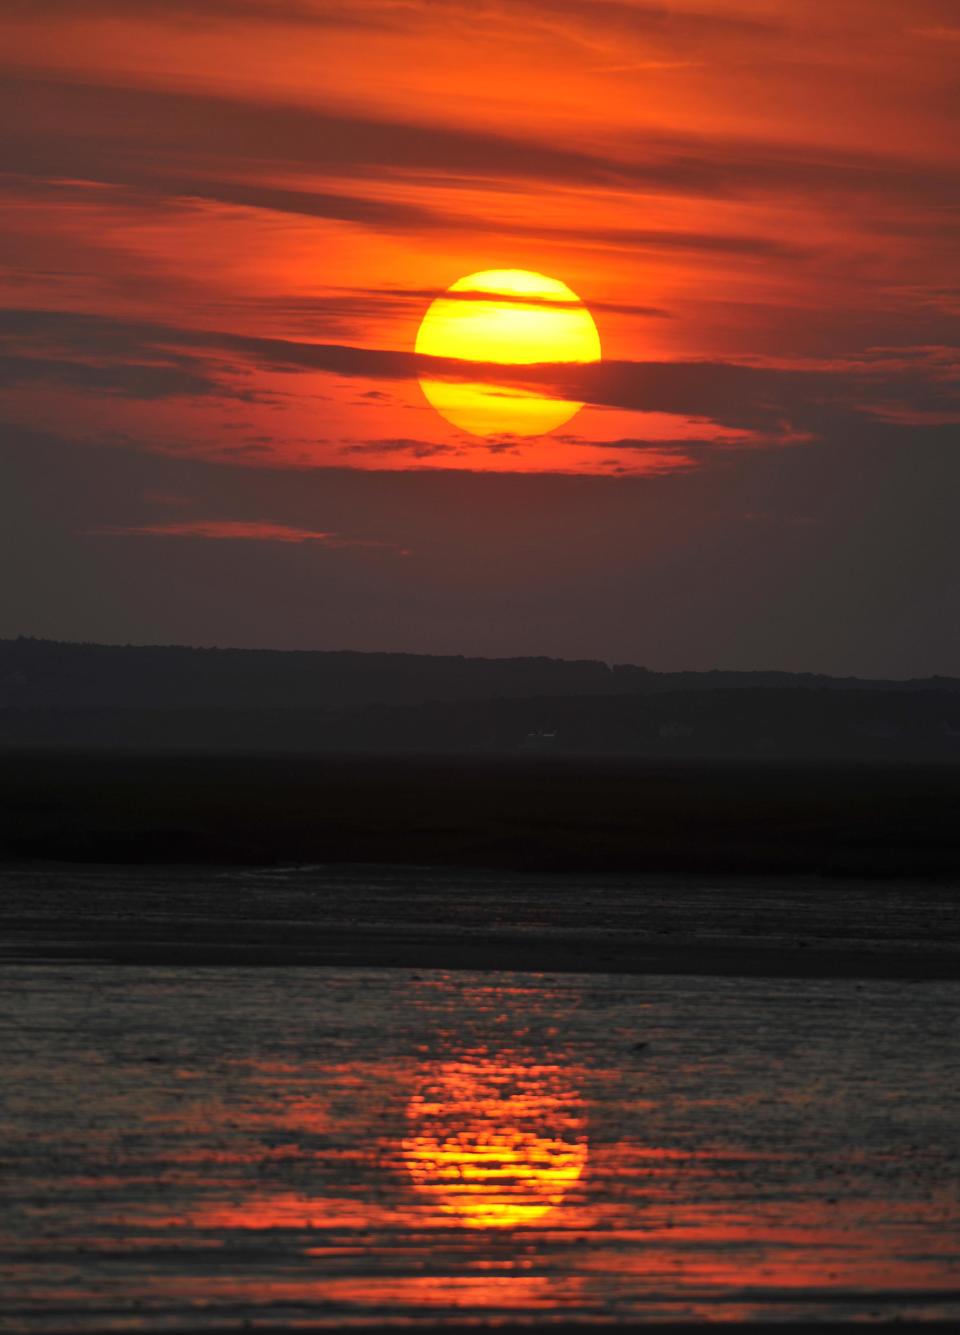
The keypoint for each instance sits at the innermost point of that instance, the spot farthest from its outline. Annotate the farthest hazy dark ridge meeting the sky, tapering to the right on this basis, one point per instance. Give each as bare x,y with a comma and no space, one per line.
38,674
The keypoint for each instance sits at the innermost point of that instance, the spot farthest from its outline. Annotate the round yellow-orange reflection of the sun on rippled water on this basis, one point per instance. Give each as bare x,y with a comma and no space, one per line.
495,1141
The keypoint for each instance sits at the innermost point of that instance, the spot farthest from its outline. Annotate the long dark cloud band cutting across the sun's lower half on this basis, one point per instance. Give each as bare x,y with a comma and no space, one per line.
730,394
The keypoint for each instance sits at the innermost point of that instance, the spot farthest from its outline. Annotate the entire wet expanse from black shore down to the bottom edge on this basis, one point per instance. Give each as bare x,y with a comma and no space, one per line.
192,1145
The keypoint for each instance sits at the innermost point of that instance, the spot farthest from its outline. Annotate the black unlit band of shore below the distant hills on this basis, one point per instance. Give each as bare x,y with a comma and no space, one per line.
603,816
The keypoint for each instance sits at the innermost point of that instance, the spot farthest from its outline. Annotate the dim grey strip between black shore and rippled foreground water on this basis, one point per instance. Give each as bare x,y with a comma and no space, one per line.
424,915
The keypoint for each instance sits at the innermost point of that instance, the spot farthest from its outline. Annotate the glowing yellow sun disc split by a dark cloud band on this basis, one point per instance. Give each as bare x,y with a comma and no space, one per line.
511,317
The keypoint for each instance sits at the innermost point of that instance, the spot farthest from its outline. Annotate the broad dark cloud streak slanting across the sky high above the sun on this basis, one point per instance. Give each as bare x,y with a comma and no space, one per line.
103,127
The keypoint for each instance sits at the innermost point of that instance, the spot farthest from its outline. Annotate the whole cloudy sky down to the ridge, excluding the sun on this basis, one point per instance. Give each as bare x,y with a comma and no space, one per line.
222,224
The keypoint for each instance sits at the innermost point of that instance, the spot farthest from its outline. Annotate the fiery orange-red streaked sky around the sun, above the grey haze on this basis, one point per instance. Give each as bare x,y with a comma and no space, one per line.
224,221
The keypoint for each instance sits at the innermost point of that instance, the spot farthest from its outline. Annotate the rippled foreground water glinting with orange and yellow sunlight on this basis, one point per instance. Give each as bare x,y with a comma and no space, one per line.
190,1147
